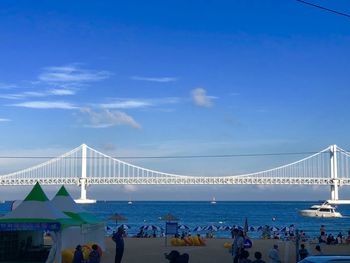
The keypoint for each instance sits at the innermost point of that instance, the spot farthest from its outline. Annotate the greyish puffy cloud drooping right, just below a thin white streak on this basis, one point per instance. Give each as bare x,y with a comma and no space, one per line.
107,118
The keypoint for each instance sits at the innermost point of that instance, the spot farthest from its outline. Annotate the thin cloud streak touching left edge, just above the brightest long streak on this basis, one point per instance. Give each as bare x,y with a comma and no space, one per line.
29,94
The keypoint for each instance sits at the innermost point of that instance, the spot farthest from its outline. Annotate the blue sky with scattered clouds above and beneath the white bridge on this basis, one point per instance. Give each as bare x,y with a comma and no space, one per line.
165,78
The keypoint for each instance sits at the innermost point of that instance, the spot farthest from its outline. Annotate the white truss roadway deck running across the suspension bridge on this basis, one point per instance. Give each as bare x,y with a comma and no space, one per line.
176,180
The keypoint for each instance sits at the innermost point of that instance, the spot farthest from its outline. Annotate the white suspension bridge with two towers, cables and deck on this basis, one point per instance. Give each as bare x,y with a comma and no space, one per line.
85,166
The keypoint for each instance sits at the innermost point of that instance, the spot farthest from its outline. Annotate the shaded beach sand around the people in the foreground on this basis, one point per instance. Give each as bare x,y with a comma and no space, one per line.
151,250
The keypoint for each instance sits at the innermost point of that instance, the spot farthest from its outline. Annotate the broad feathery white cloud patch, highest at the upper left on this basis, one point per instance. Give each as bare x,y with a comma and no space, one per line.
72,74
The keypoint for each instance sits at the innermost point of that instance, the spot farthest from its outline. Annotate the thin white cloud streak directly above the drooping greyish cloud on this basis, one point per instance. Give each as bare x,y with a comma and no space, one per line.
128,103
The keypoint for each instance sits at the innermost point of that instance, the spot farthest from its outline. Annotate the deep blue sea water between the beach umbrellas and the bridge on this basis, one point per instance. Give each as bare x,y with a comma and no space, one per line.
223,213
